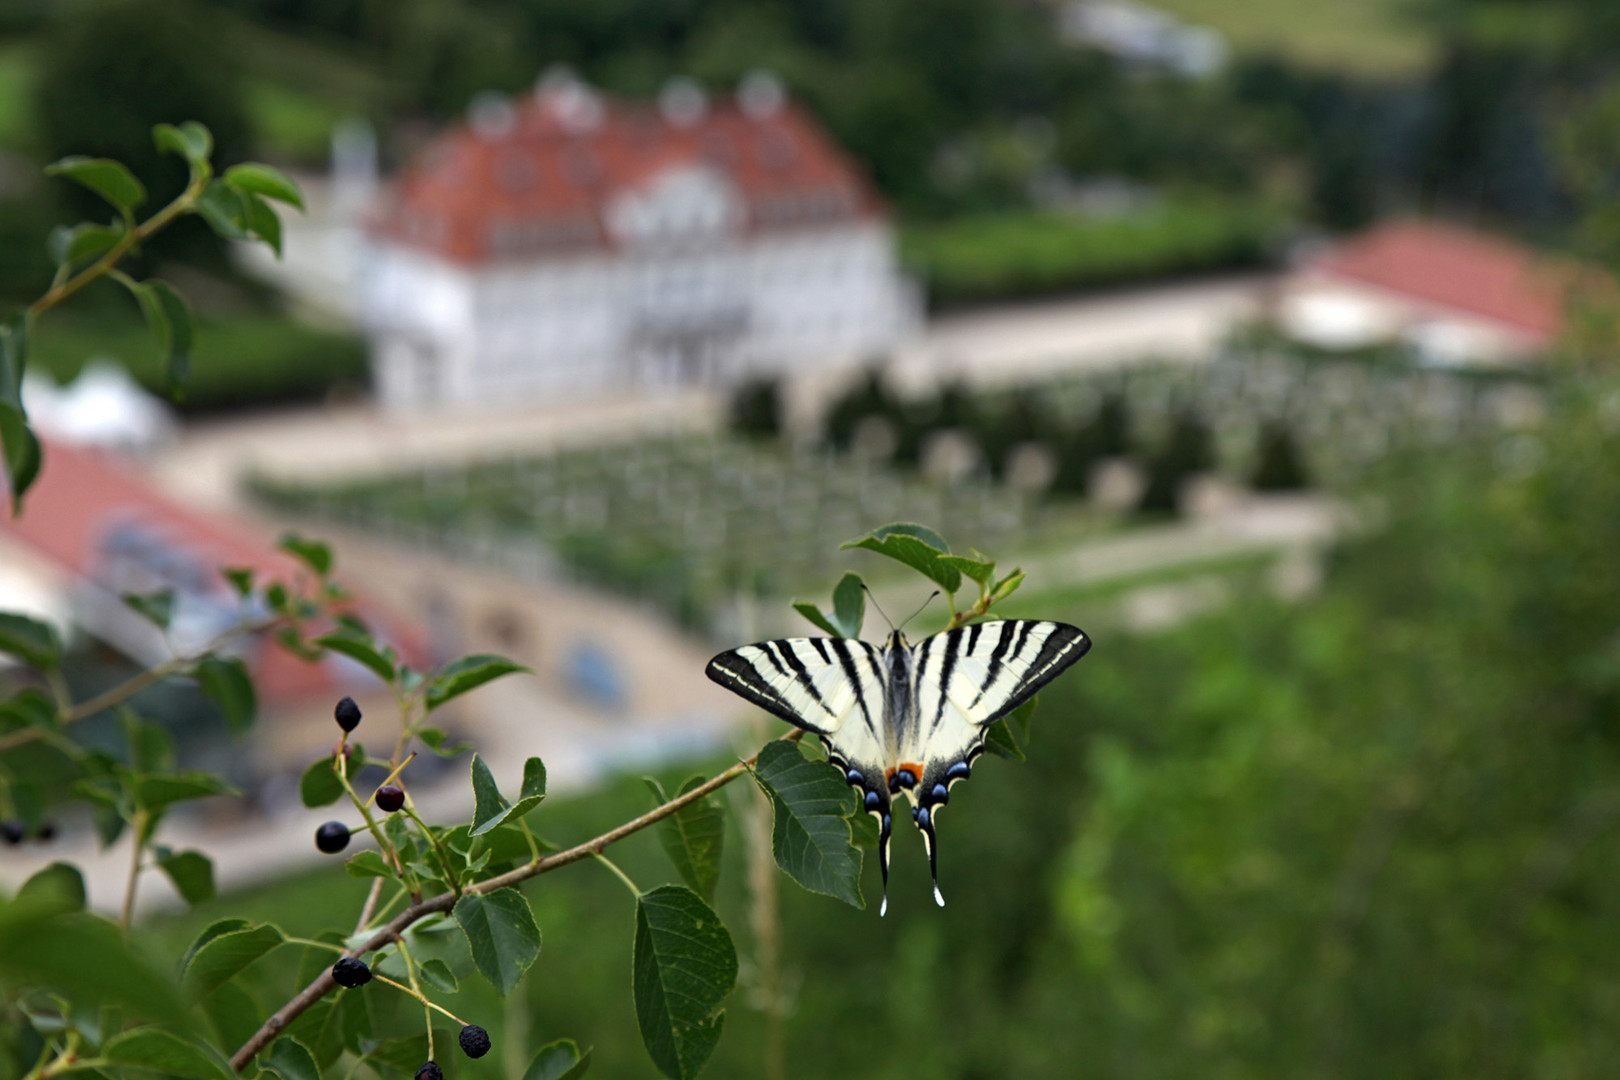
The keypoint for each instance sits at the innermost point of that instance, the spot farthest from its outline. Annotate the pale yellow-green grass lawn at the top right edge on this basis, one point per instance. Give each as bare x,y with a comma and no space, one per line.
1379,38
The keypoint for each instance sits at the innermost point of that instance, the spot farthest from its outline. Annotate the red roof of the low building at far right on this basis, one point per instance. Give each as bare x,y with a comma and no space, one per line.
1460,270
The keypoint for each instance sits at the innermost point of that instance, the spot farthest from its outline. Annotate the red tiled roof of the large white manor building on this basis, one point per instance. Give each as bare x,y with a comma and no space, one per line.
550,179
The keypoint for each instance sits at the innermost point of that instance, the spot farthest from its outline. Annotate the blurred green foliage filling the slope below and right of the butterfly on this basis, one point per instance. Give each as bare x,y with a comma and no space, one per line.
1366,835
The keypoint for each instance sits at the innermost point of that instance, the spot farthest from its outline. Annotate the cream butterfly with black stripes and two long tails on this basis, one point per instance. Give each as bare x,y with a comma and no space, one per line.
903,720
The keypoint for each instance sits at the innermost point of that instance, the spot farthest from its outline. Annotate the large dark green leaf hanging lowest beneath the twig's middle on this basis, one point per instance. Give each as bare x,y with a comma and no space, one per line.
684,969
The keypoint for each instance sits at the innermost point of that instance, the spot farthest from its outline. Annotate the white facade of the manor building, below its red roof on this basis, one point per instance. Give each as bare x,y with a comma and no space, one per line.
684,292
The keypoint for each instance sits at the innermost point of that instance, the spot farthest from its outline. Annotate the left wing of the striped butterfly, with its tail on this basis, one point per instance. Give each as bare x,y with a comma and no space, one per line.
830,687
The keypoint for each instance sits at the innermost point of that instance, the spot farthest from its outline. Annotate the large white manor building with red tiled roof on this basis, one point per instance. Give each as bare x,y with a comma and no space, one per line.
568,245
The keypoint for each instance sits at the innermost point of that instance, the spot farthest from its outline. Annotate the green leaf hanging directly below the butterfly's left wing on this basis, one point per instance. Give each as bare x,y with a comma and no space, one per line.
811,833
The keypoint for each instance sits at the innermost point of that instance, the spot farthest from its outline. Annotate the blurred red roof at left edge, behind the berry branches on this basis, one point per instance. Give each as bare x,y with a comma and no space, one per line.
82,495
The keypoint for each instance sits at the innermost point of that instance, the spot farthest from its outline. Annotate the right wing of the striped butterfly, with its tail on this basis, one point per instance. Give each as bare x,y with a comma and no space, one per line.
963,682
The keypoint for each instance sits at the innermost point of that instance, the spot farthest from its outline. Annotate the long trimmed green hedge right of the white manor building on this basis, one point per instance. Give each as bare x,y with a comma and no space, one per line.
1030,253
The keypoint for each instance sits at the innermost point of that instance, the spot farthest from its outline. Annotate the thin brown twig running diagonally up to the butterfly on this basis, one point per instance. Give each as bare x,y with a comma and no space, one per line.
437,906
